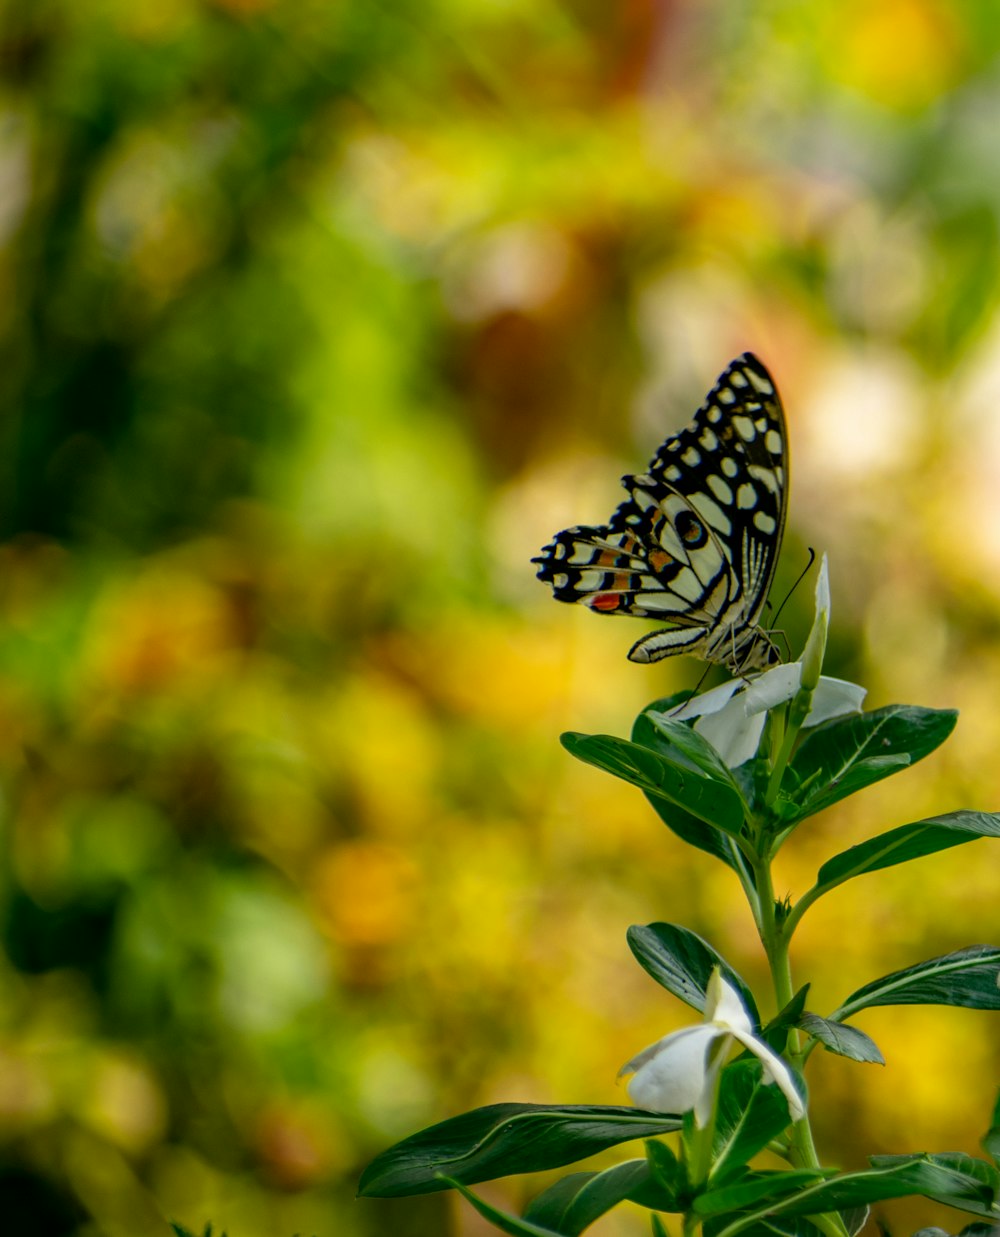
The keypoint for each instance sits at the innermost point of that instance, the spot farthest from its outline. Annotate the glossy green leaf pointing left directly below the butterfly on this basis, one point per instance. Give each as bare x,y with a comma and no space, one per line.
676,781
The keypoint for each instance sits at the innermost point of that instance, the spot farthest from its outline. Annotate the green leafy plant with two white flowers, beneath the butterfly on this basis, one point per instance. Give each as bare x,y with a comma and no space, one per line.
736,773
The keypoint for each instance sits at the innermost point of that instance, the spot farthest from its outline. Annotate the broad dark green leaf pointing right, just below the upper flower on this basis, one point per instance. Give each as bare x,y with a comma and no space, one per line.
850,754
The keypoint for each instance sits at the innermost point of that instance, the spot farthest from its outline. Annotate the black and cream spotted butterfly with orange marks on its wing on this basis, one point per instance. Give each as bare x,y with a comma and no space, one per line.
697,540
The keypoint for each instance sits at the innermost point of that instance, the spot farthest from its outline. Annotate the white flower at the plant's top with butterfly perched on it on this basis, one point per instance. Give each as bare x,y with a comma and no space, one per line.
732,717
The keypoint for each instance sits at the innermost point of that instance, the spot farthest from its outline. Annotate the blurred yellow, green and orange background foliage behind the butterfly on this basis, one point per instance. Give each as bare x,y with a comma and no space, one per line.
316,322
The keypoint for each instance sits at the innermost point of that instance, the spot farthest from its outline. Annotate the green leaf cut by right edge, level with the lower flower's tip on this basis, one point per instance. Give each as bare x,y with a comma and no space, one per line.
967,978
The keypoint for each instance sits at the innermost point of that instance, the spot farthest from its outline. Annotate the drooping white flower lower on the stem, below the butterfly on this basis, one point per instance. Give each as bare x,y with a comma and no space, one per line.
680,1071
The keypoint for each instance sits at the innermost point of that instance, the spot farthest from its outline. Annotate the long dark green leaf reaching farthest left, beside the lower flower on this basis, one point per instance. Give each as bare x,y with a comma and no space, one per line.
506,1139
